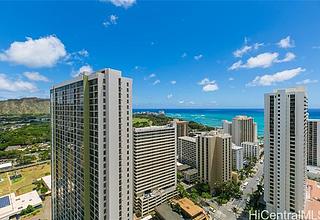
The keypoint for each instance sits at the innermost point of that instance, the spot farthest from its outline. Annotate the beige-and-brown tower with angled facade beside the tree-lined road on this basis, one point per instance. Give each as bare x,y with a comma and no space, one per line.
214,157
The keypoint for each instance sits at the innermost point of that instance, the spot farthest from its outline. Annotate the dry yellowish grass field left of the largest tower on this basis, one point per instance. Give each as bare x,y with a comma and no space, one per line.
25,183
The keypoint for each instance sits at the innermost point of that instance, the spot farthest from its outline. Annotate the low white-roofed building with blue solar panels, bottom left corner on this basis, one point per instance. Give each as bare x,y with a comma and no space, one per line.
11,205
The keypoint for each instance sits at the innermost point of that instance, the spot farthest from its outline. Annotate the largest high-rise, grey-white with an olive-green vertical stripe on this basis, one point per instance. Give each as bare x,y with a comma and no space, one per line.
91,120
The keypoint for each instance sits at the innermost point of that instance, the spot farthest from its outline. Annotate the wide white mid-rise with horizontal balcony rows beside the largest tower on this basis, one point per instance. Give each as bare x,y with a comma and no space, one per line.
154,162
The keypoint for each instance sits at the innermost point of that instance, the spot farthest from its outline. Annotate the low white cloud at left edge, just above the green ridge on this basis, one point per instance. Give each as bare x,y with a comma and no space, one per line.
11,85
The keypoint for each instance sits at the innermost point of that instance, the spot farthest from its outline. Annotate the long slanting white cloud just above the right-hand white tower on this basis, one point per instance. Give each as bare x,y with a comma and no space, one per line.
268,80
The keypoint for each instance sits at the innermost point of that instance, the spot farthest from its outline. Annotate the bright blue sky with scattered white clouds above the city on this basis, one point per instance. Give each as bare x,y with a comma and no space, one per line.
181,54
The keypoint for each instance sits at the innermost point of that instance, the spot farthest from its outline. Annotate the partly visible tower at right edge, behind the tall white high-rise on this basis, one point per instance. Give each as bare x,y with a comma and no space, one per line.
313,148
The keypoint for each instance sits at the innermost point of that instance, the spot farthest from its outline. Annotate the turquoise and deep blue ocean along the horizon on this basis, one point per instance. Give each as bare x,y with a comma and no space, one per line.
213,117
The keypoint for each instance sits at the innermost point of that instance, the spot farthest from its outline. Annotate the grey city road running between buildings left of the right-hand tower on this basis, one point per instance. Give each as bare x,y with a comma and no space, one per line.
226,211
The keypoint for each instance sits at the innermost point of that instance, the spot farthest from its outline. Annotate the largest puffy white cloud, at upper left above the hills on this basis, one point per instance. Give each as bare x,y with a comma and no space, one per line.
42,52
